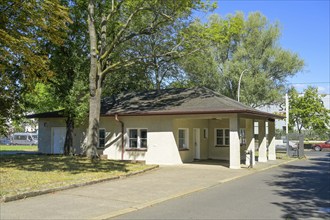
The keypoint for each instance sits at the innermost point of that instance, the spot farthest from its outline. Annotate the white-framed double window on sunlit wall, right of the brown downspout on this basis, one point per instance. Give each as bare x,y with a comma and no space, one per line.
138,138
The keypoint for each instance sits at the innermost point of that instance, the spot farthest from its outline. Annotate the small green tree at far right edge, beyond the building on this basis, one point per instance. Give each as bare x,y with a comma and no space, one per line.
307,111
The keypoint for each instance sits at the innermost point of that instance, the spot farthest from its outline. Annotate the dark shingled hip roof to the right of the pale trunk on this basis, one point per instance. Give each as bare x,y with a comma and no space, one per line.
176,101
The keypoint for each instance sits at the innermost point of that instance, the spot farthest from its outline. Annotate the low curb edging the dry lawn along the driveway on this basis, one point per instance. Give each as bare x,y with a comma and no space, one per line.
46,191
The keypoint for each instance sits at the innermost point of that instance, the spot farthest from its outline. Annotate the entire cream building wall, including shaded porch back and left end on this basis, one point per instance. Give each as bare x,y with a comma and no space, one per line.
162,138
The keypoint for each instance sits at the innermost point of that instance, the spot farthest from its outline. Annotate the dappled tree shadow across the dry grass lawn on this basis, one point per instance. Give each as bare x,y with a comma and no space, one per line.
48,163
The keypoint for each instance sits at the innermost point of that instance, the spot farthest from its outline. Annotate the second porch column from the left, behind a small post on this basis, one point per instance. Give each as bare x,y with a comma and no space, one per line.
250,142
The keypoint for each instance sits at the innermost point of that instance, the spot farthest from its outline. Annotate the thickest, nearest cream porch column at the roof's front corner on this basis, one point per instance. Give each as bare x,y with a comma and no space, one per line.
234,147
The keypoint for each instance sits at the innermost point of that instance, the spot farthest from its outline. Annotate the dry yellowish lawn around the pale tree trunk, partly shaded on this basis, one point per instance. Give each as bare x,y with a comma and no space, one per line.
26,173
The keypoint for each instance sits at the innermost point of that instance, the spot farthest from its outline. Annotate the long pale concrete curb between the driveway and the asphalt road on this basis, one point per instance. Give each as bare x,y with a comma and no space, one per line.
157,201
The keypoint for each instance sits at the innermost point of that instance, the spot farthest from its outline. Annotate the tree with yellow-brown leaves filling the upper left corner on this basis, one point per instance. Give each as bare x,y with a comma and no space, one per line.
25,27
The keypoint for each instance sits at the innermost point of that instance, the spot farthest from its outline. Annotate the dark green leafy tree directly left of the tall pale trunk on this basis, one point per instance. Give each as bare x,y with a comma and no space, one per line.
67,90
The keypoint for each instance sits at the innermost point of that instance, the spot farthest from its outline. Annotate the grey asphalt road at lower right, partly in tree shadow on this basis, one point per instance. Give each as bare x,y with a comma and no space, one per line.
298,190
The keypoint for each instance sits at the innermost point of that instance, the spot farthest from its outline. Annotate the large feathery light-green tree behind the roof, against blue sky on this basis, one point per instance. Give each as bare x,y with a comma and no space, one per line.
236,46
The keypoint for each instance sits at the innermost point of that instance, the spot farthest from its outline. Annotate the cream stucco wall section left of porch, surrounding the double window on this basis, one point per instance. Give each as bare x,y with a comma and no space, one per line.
162,147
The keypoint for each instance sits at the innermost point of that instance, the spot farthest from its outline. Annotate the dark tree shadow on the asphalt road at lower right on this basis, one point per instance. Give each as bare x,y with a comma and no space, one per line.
308,187
